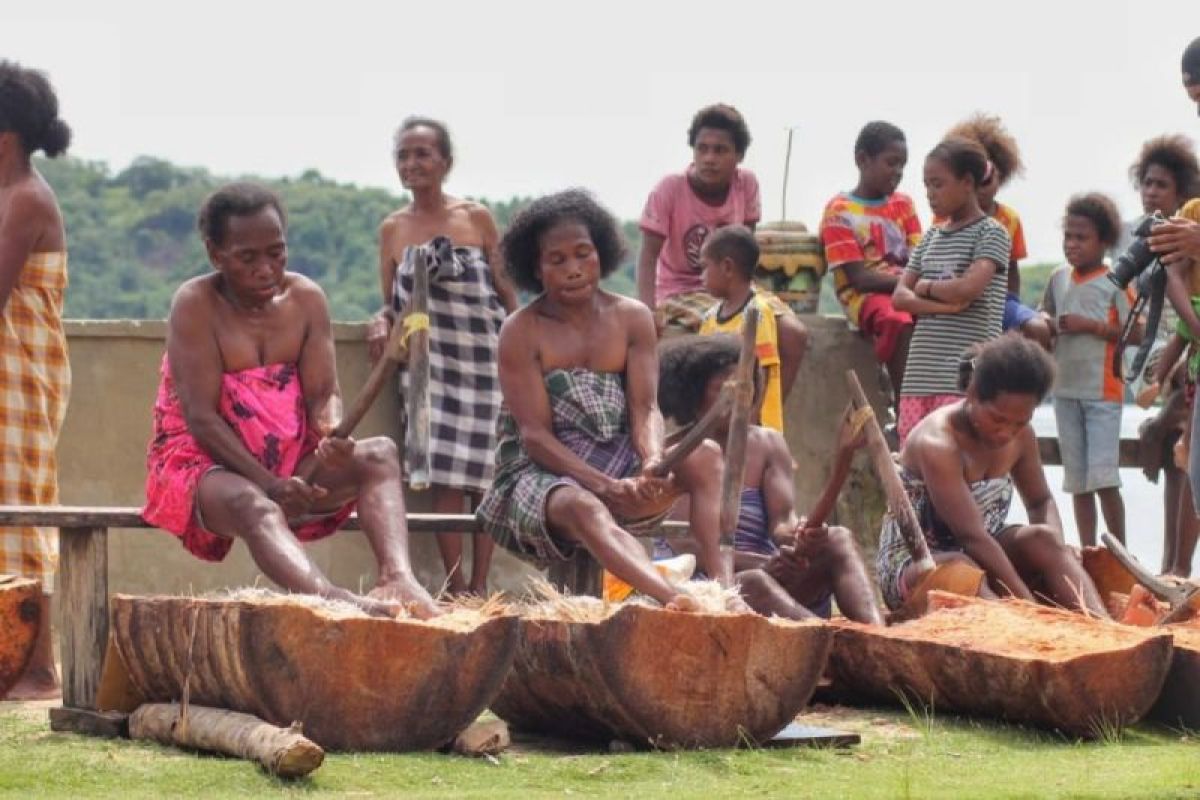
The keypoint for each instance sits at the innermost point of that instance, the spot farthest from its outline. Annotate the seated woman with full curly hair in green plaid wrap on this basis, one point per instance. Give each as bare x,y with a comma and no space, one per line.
580,432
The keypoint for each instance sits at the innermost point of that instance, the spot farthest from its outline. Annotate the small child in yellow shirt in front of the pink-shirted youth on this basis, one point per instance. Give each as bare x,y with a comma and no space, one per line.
729,258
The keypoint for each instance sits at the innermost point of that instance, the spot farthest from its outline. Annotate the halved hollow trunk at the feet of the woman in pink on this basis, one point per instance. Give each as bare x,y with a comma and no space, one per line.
352,682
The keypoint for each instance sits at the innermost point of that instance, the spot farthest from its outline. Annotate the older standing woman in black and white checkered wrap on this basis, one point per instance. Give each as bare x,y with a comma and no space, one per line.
470,296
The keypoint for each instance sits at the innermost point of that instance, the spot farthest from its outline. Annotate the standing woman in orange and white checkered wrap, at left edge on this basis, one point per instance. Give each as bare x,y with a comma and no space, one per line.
37,378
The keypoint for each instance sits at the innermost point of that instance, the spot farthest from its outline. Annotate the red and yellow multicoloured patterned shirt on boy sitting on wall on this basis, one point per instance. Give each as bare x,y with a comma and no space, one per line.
878,234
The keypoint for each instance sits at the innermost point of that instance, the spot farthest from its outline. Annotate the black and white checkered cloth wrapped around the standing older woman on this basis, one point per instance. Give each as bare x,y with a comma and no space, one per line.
465,389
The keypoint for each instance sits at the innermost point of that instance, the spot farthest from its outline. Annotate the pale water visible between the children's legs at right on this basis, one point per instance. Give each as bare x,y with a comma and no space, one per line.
1143,500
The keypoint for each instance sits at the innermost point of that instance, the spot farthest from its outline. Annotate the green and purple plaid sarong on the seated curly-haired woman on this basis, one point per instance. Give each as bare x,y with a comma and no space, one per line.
591,418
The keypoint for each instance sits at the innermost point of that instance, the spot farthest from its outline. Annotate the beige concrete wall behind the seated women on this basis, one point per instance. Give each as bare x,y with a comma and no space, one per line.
116,374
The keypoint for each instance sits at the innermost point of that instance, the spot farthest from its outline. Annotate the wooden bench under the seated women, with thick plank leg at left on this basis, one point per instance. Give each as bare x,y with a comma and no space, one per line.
83,591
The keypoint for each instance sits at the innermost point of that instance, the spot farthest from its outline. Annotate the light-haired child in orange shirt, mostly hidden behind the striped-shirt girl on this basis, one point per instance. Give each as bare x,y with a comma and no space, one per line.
1005,163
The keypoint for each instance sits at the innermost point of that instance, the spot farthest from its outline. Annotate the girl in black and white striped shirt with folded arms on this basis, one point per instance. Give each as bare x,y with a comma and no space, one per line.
955,281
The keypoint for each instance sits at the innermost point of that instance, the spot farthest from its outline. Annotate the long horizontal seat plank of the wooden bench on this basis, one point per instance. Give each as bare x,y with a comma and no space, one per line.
80,518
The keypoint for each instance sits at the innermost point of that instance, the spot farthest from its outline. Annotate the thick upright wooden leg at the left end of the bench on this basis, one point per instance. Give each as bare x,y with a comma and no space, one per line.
83,598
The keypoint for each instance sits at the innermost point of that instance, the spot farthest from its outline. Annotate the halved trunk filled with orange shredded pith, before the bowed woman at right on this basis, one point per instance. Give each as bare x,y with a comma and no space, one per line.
1011,660
